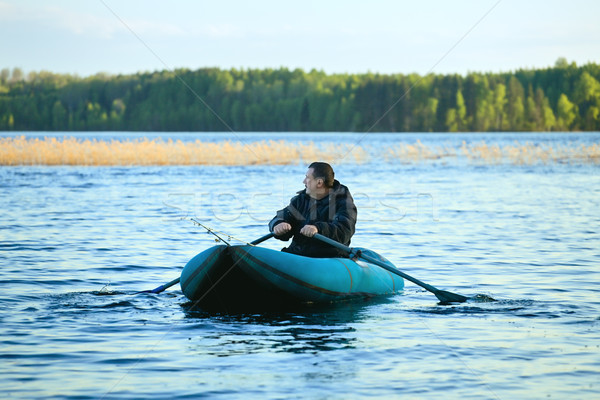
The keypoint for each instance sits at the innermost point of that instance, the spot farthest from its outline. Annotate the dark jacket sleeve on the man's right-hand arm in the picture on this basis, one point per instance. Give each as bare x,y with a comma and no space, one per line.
342,226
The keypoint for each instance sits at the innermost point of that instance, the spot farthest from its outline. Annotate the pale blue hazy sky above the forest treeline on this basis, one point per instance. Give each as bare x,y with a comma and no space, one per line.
85,37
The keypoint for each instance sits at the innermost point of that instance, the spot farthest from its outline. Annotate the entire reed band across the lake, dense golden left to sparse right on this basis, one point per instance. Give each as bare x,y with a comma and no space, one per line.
156,152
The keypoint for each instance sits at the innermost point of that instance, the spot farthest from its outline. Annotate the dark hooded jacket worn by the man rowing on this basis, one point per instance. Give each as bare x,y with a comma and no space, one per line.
334,216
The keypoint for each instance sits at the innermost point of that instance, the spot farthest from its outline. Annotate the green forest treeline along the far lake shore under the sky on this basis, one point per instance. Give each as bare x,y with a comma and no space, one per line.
565,97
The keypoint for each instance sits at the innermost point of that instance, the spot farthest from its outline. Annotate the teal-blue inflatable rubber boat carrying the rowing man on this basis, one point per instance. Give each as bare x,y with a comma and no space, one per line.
244,275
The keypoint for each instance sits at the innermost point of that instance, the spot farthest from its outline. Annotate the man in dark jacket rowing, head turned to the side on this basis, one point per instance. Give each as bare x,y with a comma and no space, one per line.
325,206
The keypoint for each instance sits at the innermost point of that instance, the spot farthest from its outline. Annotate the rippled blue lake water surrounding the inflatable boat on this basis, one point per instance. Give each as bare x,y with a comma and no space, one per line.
77,243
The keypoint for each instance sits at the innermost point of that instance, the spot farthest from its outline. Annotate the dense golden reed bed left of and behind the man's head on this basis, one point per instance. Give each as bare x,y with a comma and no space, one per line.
70,151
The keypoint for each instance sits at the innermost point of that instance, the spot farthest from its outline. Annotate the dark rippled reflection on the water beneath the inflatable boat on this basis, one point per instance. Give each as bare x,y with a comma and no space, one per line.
309,328
